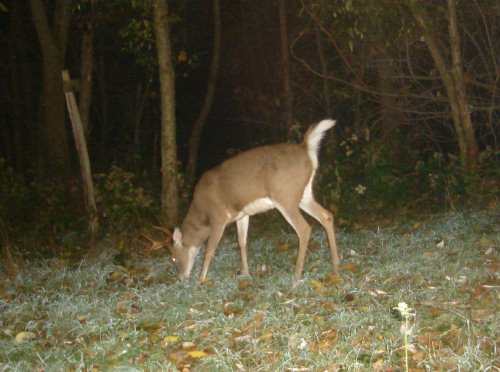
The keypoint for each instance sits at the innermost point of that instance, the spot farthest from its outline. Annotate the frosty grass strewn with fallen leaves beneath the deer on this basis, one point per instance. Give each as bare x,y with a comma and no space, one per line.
101,315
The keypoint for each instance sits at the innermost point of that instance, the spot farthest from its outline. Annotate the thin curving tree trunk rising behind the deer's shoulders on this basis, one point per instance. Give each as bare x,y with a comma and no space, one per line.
195,138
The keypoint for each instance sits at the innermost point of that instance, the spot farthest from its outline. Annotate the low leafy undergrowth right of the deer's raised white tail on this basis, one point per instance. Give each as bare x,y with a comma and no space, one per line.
368,179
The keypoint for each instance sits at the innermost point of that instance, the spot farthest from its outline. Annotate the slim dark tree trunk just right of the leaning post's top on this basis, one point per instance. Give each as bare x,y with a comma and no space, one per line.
87,65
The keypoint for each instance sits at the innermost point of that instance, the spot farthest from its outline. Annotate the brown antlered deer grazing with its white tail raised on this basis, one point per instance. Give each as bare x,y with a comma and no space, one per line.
278,176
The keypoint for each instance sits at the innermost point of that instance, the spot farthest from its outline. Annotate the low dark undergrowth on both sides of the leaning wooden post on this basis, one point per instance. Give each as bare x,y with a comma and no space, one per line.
41,212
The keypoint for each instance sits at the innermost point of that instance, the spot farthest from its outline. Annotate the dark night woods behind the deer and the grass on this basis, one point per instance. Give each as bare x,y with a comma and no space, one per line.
413,84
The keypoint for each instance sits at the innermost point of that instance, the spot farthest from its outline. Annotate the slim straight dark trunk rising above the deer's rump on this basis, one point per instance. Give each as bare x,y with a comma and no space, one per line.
285,65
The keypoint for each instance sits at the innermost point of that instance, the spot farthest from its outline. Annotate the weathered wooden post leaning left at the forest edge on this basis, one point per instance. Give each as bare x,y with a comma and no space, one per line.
83,155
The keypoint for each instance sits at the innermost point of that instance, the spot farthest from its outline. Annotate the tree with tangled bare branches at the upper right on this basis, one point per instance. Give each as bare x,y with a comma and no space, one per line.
413,58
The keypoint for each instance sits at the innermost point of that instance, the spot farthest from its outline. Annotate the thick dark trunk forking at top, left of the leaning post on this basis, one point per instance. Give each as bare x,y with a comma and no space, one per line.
55,131
